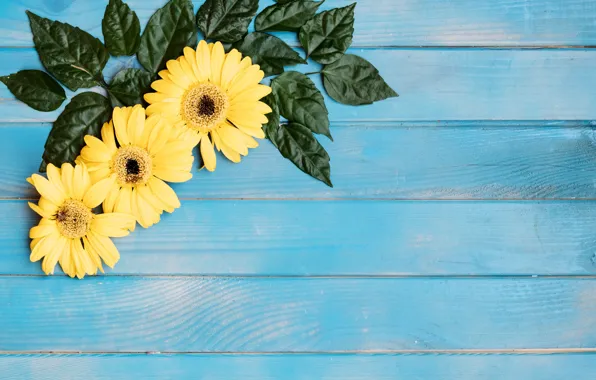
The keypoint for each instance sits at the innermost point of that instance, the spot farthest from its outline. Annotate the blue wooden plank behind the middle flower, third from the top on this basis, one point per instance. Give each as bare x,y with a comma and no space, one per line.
410,161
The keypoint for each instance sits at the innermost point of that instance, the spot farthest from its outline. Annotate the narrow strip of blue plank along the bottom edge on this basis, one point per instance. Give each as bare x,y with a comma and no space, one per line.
294,367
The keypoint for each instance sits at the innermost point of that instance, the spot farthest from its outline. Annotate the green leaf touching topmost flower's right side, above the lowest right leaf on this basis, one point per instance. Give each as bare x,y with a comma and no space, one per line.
301,102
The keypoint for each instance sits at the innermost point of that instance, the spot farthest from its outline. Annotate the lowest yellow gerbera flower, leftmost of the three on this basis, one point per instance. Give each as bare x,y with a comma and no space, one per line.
69,232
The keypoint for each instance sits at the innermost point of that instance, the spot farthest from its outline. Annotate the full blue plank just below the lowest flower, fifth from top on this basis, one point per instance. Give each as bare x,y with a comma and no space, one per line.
142,314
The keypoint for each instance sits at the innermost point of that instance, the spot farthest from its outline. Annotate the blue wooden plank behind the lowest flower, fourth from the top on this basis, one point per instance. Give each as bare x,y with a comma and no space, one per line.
299,238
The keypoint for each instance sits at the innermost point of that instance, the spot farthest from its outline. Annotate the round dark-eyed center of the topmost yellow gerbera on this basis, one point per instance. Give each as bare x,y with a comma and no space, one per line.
204,106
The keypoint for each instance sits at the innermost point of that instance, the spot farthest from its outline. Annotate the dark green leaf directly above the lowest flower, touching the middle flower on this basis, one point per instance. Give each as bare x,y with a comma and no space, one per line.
84,115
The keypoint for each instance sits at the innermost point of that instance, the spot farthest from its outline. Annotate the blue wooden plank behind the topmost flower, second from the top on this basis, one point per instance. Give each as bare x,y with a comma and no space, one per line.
435,84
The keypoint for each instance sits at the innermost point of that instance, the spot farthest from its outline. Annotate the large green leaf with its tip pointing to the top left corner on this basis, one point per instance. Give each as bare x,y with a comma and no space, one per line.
73,56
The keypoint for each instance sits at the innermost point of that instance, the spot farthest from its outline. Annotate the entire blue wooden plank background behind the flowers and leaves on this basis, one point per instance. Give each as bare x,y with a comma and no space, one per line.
458,243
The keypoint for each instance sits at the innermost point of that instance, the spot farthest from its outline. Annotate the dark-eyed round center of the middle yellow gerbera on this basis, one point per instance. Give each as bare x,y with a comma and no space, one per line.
132,165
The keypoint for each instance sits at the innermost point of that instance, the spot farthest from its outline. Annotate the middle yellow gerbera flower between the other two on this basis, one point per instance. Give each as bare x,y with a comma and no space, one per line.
137,160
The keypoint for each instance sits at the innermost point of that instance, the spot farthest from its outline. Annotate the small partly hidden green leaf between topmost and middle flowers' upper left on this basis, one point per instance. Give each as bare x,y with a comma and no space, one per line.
129,85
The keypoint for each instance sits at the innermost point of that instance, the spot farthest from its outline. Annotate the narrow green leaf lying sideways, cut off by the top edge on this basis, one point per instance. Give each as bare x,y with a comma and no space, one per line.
288,16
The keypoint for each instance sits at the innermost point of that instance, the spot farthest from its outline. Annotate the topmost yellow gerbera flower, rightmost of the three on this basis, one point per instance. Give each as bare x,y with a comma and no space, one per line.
216,96
